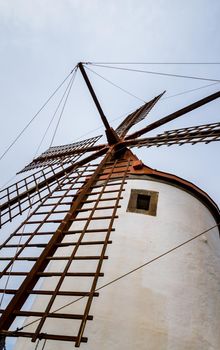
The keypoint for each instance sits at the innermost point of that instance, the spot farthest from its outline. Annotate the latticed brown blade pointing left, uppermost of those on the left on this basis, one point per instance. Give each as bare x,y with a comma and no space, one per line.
63,154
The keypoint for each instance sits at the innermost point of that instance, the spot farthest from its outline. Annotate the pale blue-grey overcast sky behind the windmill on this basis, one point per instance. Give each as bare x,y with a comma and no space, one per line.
42,40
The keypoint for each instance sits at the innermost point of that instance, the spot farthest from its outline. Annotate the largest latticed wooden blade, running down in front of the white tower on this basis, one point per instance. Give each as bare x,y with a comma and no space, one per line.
54,225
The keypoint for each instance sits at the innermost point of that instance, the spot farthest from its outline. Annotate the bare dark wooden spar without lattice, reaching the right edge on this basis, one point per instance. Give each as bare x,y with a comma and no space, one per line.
174,115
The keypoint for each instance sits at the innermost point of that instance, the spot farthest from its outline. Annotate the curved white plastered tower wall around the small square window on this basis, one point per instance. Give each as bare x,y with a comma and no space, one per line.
172,303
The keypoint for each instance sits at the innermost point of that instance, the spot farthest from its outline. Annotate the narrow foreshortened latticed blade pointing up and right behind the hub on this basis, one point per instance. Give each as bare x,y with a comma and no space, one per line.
137,116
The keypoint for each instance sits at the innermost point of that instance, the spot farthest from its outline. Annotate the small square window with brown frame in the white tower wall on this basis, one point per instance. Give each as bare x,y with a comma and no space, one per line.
143,202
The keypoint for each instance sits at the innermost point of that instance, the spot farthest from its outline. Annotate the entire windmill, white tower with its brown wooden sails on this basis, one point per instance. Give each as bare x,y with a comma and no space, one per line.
108,213
